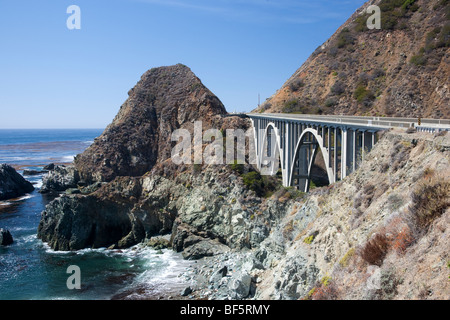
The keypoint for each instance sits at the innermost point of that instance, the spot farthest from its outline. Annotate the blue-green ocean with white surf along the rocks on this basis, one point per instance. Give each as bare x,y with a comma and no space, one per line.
31,270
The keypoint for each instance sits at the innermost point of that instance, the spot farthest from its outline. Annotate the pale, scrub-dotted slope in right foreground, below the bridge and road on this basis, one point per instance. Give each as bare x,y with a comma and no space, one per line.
381,233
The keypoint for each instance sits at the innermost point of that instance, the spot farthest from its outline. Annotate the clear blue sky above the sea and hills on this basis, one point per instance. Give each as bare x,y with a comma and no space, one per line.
53,77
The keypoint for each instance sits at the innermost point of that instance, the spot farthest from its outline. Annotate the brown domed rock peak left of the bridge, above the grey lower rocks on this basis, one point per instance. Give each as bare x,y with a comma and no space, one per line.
165,99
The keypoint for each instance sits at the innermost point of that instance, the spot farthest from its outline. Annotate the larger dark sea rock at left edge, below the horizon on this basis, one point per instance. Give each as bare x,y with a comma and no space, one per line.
12,184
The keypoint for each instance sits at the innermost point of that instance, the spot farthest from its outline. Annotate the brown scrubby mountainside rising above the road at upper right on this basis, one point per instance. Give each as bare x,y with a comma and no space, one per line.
400,70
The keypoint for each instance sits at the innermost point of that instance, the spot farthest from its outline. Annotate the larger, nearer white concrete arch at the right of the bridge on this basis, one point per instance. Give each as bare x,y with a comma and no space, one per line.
306,150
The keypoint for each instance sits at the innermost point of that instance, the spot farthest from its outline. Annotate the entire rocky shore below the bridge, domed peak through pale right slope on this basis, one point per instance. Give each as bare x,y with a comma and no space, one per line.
251,237
